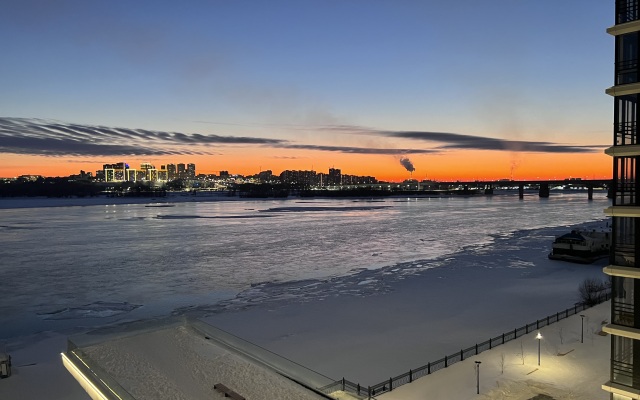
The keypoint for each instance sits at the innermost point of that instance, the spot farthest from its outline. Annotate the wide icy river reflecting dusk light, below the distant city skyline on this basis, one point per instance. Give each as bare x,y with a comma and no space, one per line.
83,266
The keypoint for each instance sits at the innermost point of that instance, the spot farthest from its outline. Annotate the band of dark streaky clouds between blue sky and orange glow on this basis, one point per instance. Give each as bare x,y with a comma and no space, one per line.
55,138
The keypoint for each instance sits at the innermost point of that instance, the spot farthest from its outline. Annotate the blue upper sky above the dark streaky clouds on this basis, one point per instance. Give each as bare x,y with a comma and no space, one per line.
512,70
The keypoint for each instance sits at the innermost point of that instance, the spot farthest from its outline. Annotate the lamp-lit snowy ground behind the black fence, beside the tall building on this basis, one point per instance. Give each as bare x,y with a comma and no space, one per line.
569,369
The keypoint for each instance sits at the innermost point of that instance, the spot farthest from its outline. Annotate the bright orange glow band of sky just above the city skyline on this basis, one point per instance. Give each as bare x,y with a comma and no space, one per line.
458,165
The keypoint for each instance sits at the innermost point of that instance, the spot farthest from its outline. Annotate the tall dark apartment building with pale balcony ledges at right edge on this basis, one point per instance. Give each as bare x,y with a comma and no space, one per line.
624,261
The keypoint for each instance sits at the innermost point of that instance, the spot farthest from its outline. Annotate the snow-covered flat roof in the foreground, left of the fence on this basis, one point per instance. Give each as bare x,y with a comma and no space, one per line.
177,363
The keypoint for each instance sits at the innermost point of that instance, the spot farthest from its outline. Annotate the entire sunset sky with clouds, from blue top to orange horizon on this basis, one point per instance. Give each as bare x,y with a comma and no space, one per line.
464,89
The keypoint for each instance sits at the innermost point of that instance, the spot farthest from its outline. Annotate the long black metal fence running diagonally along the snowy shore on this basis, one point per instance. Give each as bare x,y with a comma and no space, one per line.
413,374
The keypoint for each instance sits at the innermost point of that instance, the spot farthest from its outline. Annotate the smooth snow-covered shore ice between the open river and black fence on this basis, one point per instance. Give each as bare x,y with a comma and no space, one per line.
380,323
